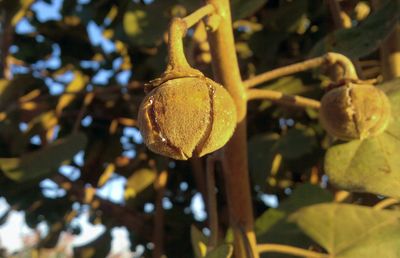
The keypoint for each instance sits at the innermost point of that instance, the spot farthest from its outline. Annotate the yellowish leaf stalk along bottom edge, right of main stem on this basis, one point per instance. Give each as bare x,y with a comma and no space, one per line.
264,248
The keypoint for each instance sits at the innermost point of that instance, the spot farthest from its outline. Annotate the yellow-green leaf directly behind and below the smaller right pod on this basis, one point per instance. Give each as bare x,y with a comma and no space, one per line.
370,165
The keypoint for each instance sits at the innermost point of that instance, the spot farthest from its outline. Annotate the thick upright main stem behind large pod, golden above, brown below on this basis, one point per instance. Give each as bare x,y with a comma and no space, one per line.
236,176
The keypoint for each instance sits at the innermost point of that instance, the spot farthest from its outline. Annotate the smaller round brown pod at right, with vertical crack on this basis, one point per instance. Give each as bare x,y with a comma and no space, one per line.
355,111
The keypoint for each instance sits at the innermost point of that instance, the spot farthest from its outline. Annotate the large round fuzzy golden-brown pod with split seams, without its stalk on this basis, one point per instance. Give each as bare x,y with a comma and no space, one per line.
185,117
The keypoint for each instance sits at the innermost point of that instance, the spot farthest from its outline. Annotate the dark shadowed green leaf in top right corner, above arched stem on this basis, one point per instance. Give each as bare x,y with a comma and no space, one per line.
364,39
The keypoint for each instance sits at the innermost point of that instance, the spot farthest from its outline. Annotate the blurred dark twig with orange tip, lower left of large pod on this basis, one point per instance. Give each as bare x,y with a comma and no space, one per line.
158,232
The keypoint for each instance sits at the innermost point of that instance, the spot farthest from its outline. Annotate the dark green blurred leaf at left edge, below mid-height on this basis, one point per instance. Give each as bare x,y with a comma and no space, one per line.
42,163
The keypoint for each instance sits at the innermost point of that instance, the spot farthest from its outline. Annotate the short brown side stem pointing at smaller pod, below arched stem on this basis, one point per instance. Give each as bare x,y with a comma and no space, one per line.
279,97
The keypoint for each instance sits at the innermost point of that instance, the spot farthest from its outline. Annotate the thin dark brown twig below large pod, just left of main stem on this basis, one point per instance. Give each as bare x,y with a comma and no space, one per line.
212,203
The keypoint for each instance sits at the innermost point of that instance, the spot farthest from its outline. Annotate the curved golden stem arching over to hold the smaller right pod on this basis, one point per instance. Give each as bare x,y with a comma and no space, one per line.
327,59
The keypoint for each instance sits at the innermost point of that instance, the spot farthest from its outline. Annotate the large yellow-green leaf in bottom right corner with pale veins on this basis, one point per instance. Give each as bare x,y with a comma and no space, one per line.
349,231
